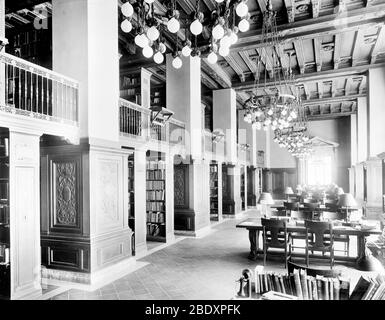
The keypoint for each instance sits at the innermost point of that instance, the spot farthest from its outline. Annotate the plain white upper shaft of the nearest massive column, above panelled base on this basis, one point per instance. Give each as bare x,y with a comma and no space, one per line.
88,30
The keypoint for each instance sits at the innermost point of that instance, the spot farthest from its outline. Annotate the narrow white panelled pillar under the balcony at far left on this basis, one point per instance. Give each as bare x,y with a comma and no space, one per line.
25,218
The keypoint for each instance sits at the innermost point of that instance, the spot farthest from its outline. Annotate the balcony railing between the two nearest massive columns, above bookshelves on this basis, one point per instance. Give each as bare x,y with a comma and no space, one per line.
135,123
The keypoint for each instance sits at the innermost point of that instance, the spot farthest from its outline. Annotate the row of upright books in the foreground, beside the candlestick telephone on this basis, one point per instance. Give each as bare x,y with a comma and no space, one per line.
301,285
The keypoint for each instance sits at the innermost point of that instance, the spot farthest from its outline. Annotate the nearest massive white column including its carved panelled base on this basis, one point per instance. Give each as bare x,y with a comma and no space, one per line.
94,243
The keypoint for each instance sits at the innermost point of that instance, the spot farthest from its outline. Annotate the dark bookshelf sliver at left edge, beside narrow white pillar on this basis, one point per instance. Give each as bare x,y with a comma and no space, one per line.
4,218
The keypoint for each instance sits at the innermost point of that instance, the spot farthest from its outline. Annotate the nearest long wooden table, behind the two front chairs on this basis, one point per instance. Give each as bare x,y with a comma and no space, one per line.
254,226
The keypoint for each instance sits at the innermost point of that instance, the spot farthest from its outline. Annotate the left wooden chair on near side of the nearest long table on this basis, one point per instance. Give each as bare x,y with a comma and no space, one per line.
275,235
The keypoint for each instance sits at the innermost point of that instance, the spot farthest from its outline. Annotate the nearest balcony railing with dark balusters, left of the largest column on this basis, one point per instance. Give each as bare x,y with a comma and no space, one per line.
29,90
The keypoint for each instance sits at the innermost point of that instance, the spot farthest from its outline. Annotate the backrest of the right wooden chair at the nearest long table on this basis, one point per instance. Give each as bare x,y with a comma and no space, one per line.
318,229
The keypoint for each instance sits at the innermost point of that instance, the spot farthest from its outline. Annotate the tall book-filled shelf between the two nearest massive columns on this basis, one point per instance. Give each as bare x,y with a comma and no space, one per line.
156,199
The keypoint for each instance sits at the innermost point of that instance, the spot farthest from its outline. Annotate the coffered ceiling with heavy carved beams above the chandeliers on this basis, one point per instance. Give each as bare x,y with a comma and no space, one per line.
334,43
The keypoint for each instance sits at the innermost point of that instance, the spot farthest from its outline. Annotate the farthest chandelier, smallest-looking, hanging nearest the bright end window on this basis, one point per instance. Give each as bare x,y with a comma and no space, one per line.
295,138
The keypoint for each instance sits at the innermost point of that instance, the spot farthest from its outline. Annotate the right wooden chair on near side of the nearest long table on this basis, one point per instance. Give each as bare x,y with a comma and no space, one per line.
317,241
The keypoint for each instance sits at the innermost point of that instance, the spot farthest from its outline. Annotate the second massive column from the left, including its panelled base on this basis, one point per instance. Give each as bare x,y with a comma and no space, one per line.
183,94
